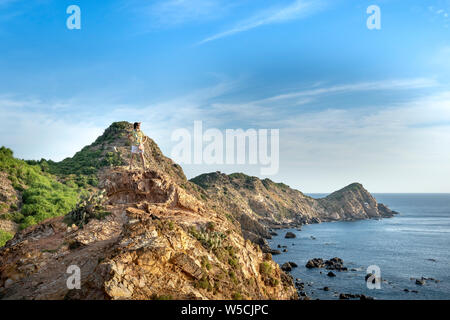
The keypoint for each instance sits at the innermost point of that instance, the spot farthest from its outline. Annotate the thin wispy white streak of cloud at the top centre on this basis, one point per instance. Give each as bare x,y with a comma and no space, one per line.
296,10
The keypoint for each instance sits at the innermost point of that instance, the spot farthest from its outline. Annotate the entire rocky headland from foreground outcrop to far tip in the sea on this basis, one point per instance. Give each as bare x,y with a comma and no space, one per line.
155,234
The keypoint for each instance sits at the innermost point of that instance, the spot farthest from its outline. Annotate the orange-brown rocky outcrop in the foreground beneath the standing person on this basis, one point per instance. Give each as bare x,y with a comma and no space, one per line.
158,242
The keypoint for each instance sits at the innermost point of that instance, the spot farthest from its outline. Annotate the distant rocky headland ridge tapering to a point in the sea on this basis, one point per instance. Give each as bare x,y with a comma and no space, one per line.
262,204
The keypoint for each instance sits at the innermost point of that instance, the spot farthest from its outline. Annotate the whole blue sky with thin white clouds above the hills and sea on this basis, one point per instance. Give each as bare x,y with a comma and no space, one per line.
351,104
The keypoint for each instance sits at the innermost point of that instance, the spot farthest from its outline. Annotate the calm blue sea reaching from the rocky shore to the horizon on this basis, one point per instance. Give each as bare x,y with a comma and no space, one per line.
413,244
